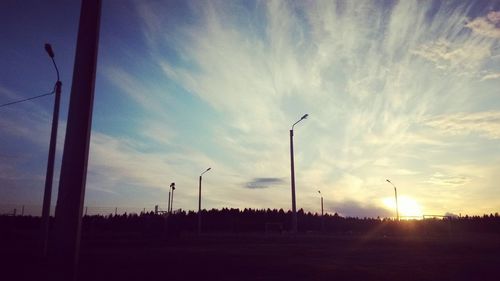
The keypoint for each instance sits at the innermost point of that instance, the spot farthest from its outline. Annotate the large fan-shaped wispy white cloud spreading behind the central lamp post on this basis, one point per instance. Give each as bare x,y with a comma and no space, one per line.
366,93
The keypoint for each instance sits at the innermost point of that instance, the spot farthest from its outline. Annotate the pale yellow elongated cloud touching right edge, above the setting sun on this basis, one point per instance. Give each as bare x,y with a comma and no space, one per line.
487,124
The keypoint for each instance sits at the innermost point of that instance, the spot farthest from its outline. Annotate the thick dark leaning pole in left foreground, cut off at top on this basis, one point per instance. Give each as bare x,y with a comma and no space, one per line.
72,181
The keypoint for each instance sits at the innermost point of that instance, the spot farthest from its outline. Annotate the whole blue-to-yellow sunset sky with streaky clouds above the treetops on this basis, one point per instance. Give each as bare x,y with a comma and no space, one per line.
399,90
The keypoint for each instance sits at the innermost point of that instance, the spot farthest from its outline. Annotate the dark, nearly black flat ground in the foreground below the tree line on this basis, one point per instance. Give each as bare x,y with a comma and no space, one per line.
261,257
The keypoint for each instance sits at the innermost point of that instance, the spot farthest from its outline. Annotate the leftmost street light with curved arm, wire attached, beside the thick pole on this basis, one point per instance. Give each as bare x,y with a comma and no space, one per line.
47,195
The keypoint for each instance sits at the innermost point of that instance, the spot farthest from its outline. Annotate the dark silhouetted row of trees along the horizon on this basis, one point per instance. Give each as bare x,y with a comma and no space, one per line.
271,221
